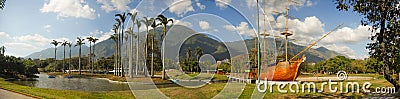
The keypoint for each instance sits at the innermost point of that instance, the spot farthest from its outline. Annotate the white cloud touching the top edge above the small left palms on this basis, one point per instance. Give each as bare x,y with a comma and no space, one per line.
69,8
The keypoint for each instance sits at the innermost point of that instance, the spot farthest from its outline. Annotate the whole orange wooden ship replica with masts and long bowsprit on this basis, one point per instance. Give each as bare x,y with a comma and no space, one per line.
284,70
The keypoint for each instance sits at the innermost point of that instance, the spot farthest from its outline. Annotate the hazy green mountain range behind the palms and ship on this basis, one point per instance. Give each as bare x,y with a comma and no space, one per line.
208,45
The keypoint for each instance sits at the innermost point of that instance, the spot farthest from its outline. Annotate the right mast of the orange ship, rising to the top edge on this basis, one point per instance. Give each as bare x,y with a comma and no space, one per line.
286,33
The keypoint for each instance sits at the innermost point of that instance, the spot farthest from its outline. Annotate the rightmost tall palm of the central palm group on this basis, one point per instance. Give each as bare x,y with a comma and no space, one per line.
164,21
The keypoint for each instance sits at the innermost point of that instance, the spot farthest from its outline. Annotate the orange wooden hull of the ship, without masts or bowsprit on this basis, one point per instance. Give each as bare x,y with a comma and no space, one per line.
283,71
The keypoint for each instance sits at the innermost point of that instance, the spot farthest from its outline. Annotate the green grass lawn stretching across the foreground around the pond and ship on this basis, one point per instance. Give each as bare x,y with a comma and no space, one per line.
207,91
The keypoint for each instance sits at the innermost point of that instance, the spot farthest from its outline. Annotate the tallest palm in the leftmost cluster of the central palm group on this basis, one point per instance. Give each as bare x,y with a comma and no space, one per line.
122,18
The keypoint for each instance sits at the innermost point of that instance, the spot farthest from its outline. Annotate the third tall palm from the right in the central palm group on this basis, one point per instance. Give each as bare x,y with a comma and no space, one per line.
147,22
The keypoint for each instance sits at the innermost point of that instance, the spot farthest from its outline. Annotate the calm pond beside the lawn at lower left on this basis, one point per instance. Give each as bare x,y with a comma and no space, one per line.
82,84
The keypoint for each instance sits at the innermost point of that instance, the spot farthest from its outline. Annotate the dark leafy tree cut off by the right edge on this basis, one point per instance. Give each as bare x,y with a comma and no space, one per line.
383,17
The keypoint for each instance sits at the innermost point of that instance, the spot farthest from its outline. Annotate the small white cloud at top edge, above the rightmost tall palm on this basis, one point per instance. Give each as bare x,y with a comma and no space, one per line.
181,8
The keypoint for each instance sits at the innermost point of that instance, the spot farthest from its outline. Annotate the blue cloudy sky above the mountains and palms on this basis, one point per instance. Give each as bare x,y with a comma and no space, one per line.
28,26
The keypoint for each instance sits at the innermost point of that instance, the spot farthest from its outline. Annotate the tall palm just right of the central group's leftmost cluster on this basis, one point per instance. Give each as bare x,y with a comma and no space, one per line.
133,16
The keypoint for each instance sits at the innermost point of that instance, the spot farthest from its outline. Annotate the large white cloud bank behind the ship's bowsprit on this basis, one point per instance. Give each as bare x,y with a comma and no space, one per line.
311,29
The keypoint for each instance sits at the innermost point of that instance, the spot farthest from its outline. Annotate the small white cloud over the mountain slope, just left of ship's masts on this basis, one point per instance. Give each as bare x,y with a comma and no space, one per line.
243,29
